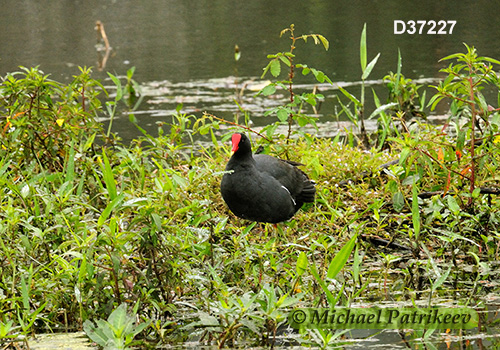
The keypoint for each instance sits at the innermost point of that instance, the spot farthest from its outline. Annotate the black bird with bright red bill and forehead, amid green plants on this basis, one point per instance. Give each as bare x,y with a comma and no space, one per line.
263,188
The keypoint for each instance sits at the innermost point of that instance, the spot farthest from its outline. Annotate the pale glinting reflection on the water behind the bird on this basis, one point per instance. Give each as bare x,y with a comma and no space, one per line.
227,97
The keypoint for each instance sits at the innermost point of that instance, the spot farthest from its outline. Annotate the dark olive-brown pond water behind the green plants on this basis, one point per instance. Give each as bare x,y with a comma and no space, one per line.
183,50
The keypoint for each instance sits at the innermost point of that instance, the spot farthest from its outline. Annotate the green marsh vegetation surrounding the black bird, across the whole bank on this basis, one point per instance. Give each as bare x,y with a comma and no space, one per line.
88,225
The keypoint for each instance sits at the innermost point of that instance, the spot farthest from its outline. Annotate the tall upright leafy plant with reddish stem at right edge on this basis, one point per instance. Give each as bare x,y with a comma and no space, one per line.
463,86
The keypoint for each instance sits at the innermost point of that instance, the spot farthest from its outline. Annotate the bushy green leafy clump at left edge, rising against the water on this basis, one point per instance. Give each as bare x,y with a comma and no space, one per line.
42,119
